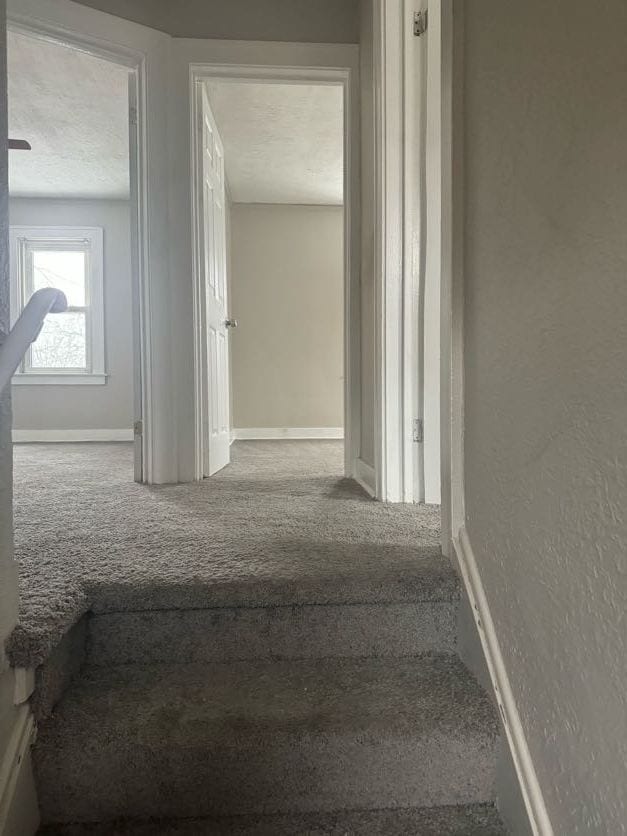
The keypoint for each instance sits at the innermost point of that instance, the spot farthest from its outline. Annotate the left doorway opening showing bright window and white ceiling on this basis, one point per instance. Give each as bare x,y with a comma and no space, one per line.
74,225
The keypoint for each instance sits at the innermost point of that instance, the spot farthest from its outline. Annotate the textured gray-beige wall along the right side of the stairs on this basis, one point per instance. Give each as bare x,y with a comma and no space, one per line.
546,400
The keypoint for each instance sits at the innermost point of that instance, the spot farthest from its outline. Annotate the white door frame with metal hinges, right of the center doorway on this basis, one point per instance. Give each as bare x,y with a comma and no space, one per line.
410,254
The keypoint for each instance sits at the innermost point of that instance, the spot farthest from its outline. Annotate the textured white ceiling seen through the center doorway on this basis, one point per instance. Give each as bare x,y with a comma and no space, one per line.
283,143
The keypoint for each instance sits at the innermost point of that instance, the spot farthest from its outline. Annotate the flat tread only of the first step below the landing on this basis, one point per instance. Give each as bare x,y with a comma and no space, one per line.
410,696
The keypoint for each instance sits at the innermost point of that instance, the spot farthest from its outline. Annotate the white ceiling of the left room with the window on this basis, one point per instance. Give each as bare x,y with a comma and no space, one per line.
73,109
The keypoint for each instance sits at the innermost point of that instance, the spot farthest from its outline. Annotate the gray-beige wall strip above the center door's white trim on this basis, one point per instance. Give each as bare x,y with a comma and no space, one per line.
313,21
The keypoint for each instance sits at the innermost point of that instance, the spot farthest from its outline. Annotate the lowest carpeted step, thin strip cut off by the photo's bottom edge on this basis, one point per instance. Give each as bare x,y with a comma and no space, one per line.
468,820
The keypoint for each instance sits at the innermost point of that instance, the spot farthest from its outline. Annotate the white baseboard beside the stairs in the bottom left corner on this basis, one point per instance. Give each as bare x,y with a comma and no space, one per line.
18,802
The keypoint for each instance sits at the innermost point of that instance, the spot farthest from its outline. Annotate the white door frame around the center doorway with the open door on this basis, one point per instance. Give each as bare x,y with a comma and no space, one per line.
313,65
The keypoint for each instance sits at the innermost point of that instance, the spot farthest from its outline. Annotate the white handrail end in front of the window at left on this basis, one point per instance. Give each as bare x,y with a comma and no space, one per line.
27,328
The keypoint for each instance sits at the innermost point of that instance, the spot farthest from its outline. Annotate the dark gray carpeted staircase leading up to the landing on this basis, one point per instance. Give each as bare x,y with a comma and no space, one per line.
330,705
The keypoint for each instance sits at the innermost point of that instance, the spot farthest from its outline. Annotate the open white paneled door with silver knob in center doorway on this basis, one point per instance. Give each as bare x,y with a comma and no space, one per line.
216,424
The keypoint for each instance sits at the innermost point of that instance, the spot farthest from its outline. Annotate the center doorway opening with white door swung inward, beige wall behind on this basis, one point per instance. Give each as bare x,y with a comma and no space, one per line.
272,261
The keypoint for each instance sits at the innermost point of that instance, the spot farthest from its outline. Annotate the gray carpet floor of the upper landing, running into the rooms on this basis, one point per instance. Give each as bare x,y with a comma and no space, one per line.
278,526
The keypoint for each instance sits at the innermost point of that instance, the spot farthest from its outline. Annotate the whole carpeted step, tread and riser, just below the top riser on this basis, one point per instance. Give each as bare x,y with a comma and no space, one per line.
267,738
